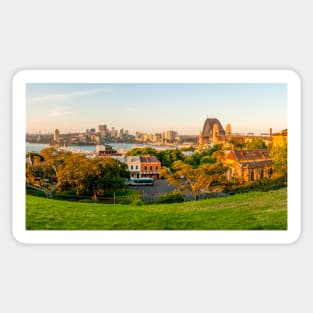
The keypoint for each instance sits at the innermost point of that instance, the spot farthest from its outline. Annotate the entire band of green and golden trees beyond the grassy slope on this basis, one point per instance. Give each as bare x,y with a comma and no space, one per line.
193,174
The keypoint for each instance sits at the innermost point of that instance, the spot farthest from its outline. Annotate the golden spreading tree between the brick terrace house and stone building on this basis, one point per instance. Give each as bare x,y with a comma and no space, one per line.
194,179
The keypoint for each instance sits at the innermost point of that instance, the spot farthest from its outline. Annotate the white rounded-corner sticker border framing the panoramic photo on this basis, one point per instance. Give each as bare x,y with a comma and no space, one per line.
156,76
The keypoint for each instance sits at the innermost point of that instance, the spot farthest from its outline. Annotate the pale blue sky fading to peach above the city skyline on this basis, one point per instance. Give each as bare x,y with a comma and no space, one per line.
151,107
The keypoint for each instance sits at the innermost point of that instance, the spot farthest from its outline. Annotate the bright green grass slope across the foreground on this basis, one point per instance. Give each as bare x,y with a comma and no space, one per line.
249,211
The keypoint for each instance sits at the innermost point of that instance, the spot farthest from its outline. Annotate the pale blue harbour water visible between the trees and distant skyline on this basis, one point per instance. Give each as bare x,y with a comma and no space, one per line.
123,147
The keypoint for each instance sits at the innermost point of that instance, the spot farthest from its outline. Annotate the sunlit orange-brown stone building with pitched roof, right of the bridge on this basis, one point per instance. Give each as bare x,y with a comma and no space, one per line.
249,165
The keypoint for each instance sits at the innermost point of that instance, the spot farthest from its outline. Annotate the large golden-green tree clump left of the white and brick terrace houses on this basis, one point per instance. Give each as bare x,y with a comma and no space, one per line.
68,172
